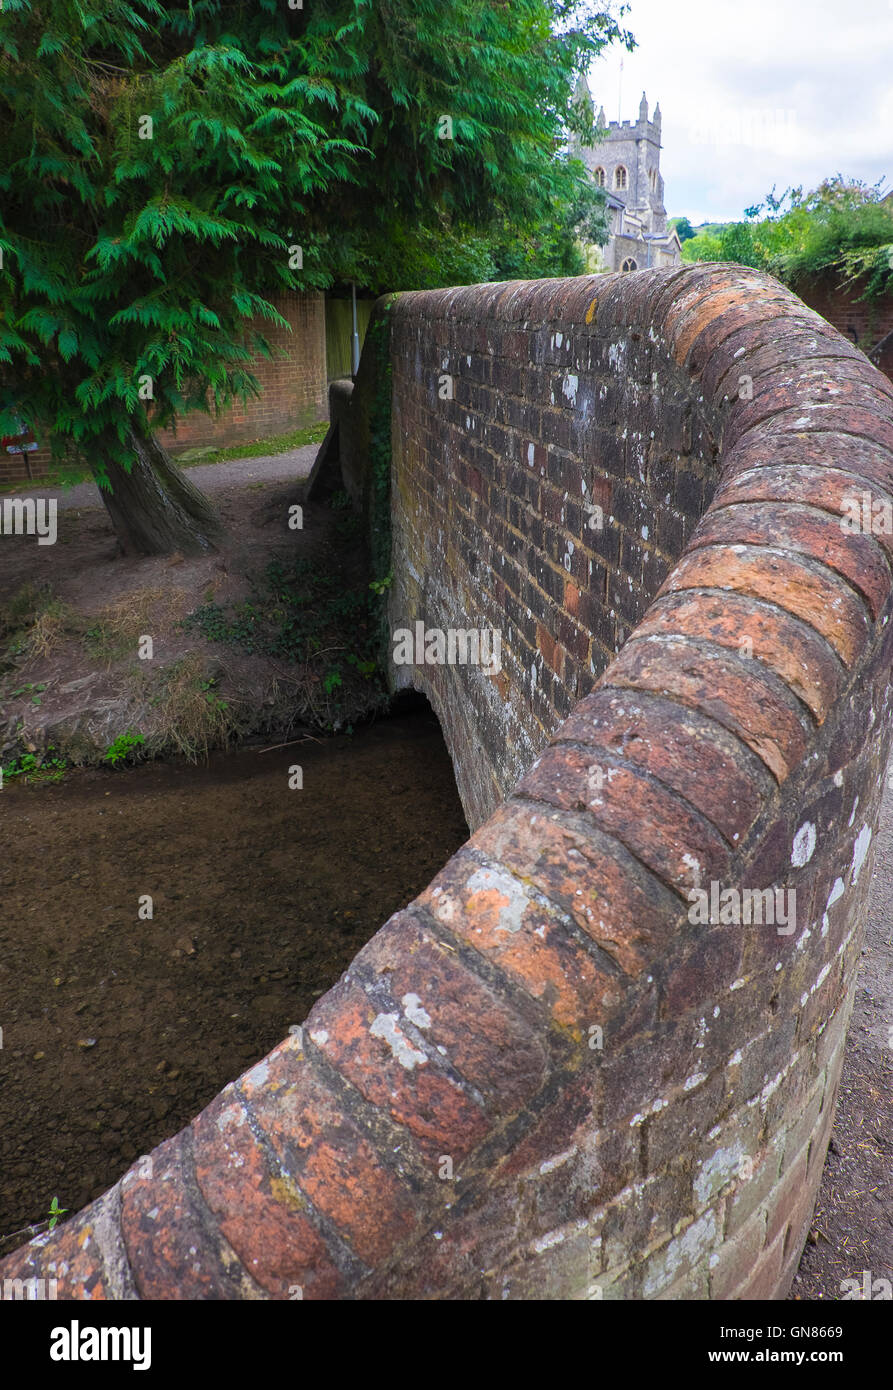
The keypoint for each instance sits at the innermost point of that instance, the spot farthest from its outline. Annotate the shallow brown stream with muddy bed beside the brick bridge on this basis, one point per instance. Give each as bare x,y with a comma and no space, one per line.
118,1031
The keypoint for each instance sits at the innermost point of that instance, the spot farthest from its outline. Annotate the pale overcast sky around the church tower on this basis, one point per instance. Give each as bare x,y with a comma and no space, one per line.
756,94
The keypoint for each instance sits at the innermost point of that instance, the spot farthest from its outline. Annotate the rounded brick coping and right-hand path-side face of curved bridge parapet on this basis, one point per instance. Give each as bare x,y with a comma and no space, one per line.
540,1079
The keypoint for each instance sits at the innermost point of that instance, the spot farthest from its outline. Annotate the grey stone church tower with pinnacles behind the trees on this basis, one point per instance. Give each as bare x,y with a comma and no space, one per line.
628,166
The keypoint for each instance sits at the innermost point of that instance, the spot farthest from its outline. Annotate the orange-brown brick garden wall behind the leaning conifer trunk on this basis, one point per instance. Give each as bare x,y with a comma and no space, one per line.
294,393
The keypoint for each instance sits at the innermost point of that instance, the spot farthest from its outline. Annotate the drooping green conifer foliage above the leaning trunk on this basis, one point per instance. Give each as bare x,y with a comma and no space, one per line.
161,162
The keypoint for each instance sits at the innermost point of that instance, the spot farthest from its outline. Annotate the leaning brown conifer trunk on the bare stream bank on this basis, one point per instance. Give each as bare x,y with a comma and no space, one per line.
155,509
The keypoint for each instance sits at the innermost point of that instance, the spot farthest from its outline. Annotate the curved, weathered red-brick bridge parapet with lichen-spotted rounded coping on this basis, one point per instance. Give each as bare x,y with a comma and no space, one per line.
545,1079
